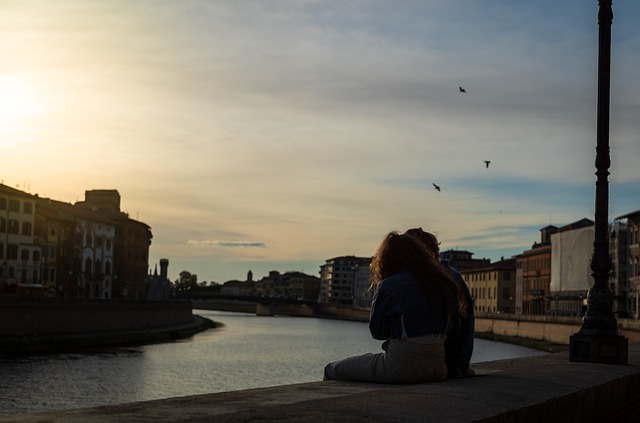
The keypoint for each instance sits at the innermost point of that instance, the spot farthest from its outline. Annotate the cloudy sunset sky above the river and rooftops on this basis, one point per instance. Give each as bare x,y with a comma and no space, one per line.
275,135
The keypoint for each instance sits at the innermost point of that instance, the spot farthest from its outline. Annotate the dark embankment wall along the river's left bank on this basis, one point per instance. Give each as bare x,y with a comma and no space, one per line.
39,327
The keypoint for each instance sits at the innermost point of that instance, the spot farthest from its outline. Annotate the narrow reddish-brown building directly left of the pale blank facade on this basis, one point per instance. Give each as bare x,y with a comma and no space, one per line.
535,265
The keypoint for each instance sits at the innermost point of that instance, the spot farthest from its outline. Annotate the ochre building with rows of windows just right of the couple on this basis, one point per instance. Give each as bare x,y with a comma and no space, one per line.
493,287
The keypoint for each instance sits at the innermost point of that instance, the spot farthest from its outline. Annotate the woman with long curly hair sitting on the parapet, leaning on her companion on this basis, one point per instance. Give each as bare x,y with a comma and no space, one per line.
416,304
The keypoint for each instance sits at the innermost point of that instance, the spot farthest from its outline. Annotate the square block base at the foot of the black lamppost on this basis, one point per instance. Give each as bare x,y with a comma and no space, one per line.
598,349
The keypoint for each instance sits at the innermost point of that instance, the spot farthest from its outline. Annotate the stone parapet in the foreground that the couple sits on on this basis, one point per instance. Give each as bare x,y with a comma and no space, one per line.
546,388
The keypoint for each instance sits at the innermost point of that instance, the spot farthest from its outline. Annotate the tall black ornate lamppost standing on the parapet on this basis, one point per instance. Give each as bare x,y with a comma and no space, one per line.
598,340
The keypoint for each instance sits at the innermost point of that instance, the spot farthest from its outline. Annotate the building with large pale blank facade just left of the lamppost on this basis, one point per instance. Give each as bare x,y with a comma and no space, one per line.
571,251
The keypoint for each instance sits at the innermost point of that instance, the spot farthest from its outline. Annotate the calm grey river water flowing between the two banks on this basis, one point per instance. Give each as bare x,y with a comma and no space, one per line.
248,351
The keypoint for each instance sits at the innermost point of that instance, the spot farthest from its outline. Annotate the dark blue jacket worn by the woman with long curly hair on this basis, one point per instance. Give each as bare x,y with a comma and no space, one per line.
400,309
